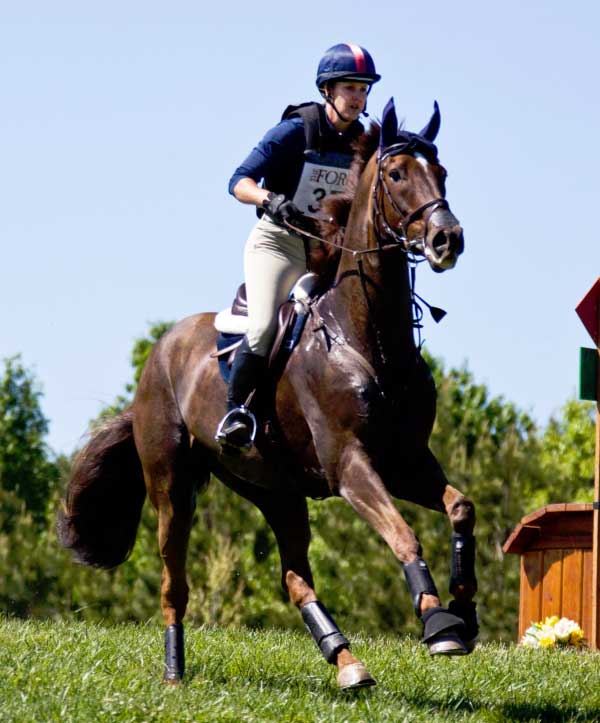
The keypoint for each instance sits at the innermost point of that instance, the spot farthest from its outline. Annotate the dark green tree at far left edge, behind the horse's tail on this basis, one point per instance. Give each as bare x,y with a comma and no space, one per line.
26,469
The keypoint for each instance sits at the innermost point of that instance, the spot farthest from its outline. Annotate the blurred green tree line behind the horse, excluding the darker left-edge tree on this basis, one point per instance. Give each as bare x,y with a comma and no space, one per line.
489,449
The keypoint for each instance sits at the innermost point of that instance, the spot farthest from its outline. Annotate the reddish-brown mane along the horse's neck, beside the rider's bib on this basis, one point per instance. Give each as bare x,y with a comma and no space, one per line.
324,258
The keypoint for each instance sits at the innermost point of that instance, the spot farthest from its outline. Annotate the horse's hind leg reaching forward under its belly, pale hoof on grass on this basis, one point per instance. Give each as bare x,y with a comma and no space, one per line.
288,517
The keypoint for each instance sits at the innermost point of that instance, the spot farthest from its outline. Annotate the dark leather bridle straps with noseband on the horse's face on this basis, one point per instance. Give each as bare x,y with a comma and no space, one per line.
400,233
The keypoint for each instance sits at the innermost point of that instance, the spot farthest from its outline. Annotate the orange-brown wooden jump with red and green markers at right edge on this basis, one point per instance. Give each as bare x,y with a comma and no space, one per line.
560,544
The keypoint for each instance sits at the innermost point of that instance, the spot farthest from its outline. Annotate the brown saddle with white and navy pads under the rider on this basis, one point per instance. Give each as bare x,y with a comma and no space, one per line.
232,324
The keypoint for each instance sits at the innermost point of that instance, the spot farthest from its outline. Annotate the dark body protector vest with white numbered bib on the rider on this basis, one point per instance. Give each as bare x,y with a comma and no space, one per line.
327,157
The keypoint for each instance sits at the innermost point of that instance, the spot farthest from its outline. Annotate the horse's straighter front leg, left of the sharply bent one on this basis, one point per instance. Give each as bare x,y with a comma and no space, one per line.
362,487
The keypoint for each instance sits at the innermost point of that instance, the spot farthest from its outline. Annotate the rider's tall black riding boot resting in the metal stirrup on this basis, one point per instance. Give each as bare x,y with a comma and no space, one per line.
236,427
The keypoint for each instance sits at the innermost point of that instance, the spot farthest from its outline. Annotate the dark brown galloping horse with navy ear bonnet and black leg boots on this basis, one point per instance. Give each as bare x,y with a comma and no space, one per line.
354,408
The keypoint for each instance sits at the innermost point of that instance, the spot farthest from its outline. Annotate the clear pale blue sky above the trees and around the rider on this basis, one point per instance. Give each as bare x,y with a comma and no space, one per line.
122,122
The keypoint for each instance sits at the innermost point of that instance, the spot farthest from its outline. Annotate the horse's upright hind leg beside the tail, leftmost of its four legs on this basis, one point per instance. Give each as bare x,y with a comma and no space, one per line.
172,482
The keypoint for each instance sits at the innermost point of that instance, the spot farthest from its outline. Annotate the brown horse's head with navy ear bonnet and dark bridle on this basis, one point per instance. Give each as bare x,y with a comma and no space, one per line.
409,193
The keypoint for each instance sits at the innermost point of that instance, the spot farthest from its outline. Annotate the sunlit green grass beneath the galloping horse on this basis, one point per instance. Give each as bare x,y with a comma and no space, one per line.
81,672
